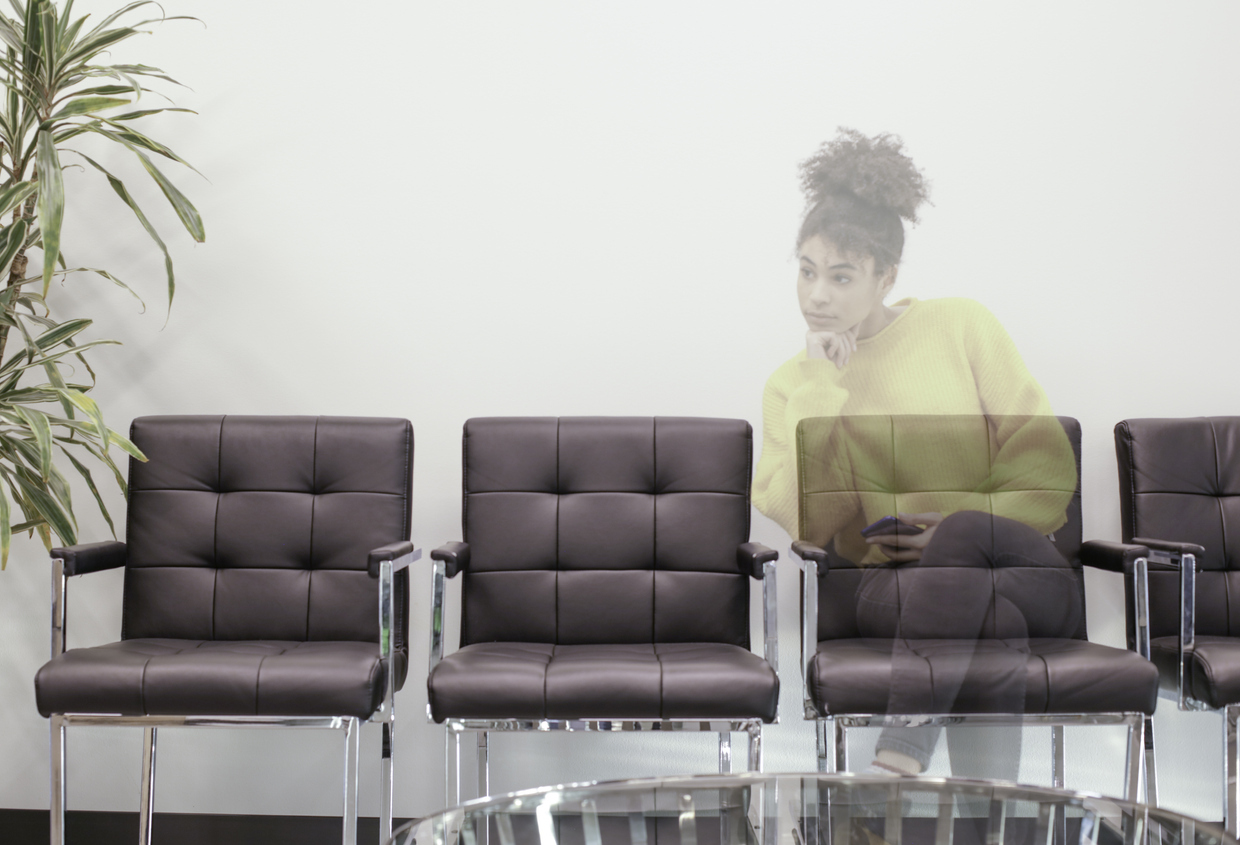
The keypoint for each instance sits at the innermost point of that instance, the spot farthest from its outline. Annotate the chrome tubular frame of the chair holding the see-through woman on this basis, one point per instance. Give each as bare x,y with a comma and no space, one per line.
1140,749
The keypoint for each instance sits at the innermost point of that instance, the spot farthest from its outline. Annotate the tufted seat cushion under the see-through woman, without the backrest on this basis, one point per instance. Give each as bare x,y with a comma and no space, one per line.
980,677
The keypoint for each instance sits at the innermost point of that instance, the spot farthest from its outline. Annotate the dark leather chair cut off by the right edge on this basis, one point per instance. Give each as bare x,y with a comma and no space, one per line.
1180,482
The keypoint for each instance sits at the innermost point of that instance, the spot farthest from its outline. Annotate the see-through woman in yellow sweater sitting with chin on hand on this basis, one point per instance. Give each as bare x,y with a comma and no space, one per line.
934,511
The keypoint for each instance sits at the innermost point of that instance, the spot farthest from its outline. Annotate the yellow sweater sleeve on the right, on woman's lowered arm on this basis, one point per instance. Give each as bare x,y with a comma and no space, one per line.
1034,471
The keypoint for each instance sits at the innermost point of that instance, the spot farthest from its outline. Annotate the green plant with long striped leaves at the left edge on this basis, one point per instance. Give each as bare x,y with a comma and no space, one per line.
59,96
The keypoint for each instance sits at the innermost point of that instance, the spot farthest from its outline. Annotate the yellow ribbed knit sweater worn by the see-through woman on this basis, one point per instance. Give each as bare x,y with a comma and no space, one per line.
939,357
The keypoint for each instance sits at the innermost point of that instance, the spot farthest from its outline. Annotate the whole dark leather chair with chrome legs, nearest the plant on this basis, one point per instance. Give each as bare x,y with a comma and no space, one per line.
265,586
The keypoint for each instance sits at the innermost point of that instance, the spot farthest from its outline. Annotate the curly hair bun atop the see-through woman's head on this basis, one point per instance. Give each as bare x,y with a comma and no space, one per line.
872,169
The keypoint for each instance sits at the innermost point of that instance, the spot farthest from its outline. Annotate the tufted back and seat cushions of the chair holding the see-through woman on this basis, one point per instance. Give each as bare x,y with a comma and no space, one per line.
888,465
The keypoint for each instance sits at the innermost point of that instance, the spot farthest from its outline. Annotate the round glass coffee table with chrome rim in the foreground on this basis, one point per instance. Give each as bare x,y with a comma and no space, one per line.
805,810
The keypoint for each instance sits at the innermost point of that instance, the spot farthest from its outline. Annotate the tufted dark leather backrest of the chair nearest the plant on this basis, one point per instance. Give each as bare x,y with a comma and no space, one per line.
259,528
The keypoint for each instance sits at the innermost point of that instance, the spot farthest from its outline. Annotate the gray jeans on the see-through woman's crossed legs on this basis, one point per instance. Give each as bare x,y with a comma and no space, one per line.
950,597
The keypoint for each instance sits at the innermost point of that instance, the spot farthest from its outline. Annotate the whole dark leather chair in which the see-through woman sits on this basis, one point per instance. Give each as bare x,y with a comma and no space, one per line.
1067,681
